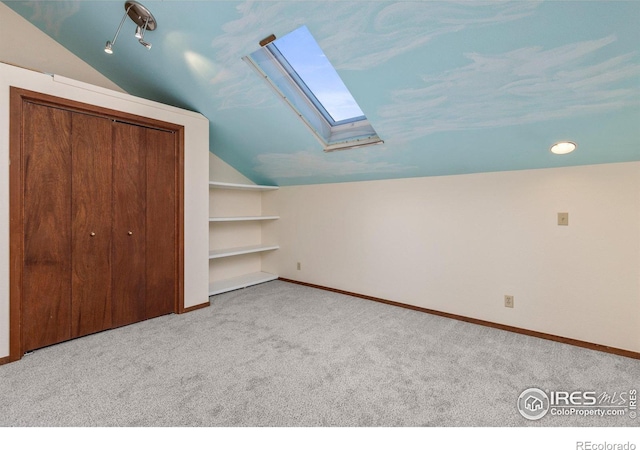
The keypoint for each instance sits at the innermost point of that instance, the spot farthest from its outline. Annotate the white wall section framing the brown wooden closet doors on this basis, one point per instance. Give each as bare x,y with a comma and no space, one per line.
195,179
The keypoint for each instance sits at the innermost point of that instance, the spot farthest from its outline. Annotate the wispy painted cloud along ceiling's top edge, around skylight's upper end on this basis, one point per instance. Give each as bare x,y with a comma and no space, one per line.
353,35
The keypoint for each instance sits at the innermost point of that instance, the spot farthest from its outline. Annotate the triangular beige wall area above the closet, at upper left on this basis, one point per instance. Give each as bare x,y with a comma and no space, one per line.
25,45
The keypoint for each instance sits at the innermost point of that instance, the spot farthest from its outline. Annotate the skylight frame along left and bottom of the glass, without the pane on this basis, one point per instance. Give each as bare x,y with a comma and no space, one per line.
350,133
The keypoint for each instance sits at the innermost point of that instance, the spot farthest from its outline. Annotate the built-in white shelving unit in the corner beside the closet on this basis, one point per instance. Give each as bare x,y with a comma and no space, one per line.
237,266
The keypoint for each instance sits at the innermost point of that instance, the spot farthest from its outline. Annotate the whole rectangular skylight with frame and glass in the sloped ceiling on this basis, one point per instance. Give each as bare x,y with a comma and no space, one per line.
298,70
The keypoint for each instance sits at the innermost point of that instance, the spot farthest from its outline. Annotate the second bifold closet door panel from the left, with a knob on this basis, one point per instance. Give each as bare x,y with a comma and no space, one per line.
91,225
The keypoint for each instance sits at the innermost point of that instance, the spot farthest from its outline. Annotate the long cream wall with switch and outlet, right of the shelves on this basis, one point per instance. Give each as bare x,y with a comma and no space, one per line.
458,244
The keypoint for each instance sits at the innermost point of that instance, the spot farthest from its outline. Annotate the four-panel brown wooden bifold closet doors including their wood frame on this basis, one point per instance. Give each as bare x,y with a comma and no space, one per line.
95,219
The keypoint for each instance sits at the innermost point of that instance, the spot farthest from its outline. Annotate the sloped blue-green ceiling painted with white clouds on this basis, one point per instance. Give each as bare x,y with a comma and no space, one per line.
451,86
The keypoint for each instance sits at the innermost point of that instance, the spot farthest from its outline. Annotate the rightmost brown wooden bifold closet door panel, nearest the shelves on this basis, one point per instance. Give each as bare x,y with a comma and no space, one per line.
161,223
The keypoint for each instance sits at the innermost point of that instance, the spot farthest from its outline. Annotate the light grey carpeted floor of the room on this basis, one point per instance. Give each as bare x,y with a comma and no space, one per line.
280,354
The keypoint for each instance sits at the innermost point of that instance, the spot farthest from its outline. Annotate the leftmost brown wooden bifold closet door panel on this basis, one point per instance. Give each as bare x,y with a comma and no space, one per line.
46,282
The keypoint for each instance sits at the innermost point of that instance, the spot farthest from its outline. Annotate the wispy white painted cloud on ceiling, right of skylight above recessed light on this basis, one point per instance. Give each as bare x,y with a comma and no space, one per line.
525,85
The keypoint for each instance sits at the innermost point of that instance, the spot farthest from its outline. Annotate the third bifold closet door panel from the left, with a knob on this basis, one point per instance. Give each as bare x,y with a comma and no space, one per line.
129,224
